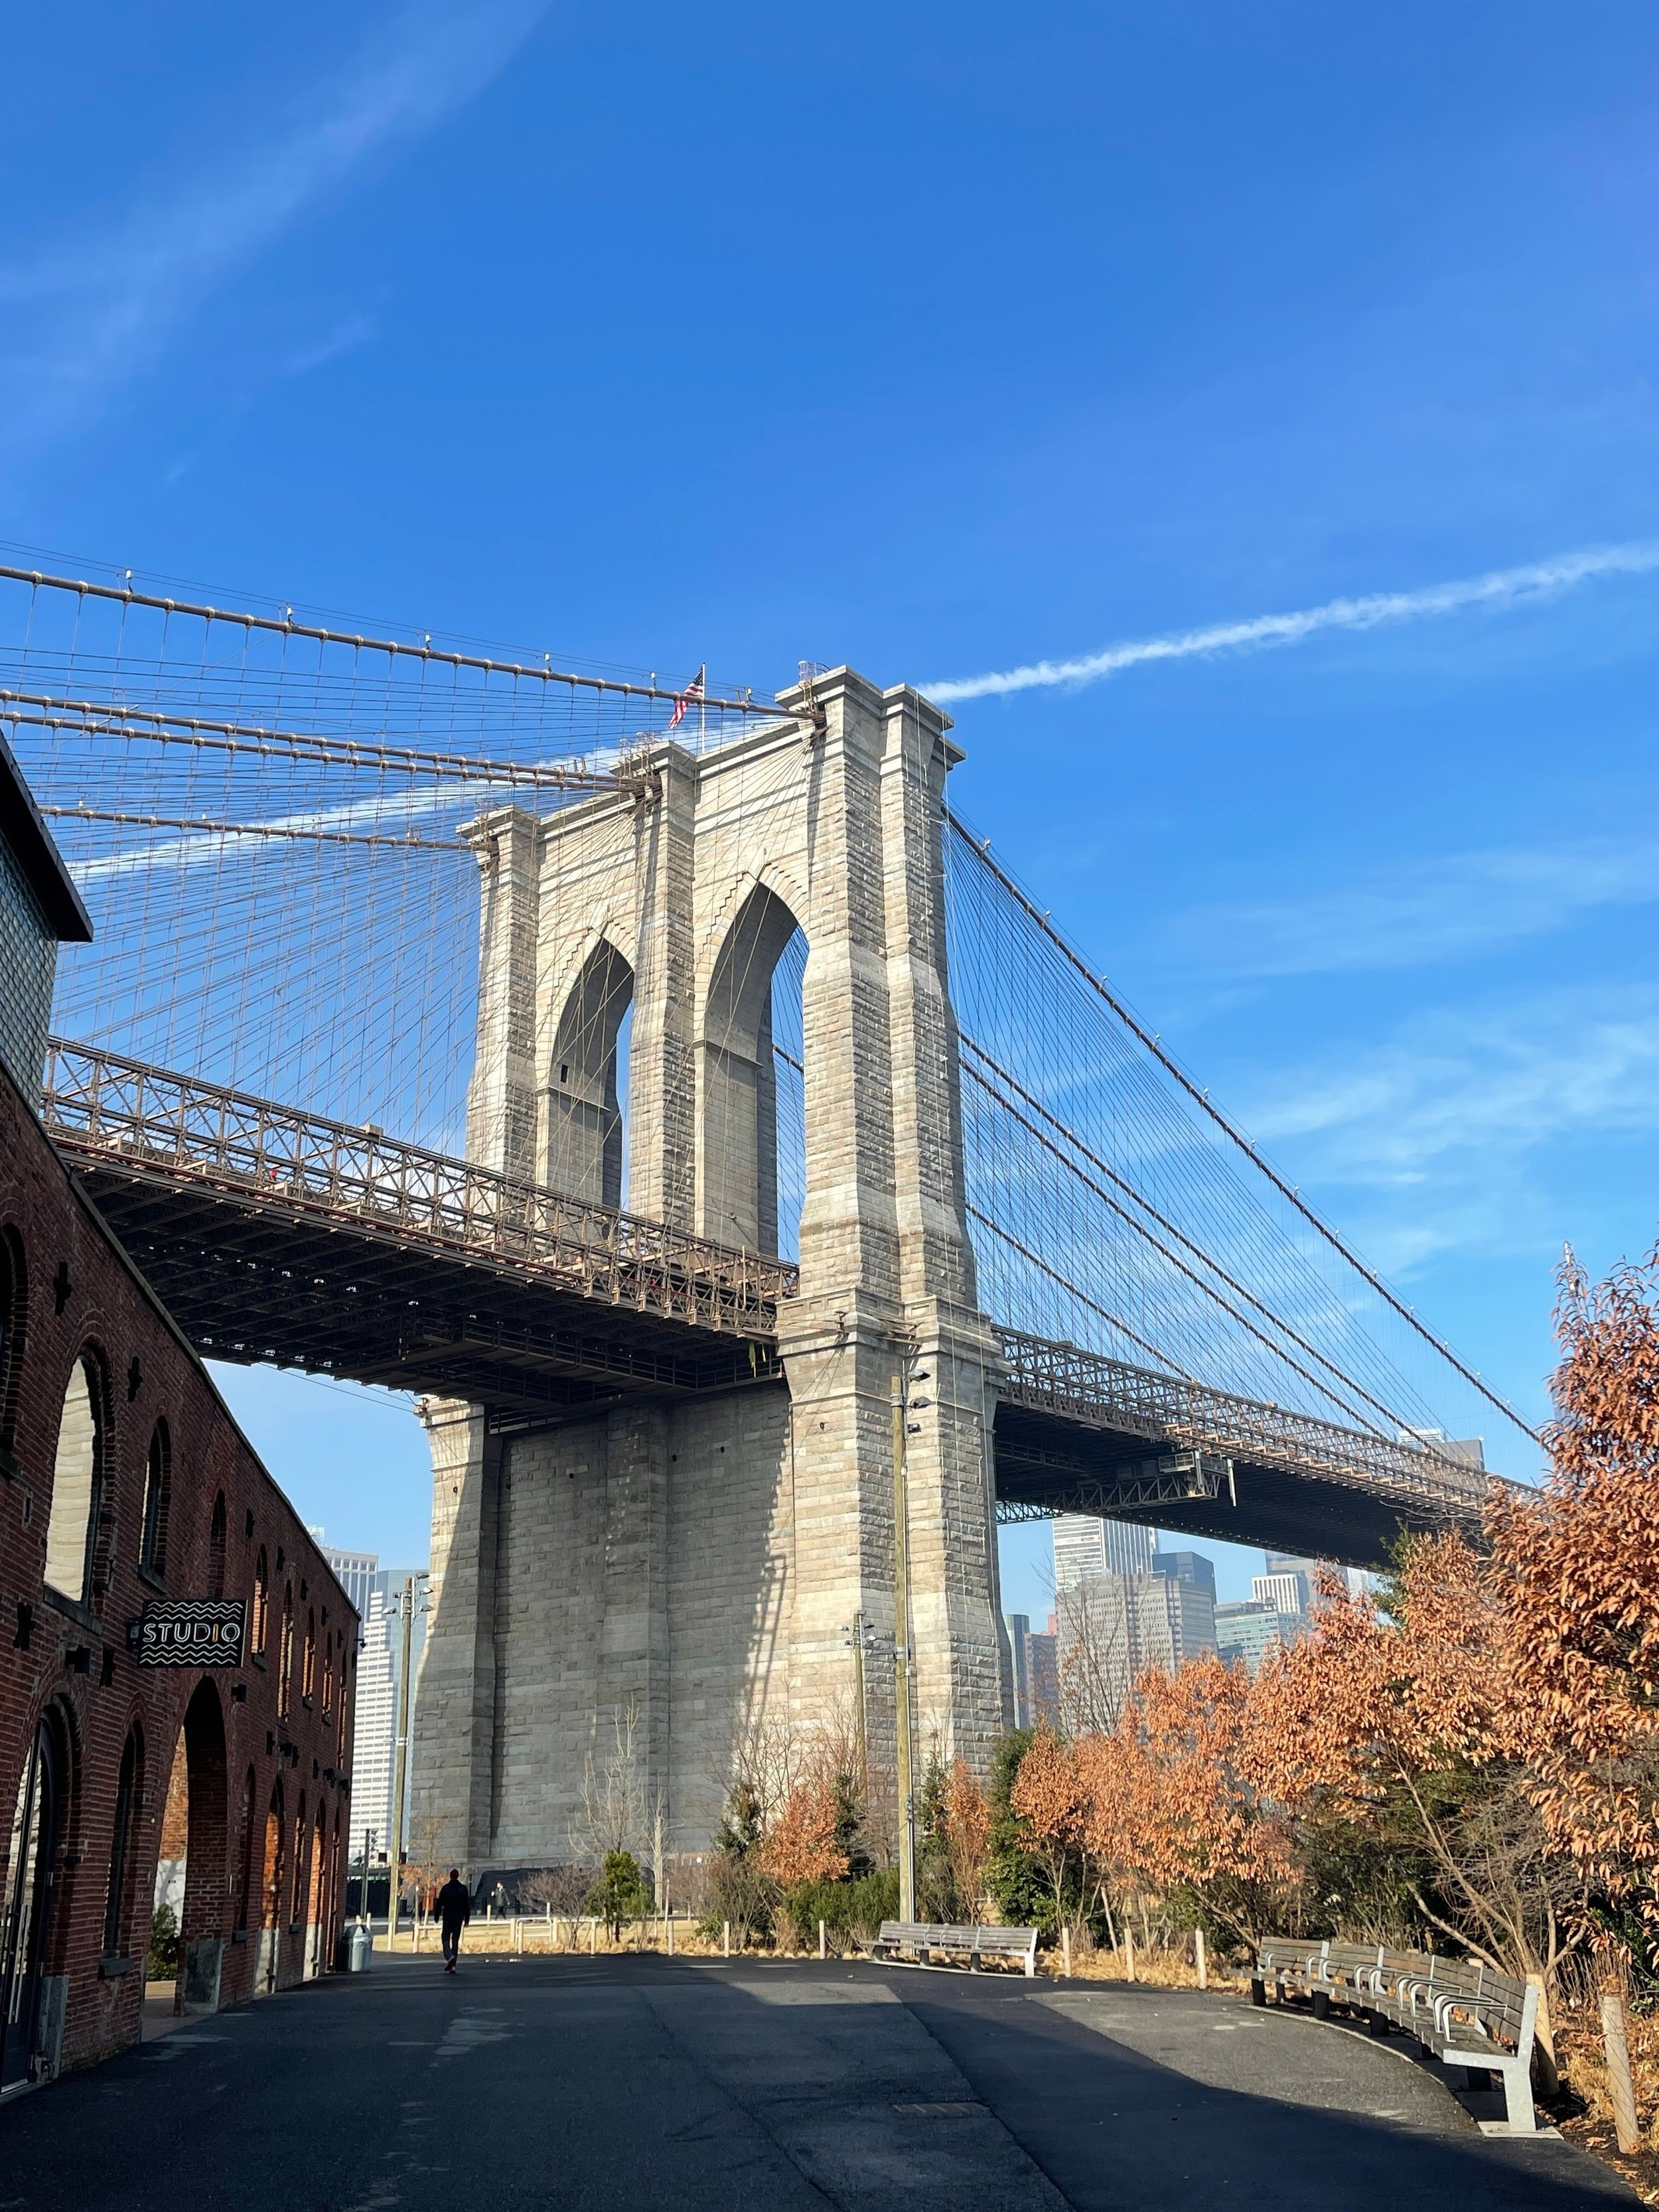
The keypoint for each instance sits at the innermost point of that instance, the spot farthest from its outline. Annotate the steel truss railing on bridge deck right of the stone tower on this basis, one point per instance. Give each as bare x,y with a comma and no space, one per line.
1107,1395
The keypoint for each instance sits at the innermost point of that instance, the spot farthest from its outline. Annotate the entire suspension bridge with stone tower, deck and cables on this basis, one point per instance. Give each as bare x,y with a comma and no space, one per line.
680,1096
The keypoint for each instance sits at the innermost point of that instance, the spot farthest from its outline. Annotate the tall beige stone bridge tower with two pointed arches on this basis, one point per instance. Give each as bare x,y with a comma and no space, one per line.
696,1563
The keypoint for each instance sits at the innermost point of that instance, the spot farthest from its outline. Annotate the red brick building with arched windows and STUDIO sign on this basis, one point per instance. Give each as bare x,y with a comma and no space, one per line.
127,1490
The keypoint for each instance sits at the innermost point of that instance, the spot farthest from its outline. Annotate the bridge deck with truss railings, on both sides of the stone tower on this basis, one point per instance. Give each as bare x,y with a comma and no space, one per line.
286,1238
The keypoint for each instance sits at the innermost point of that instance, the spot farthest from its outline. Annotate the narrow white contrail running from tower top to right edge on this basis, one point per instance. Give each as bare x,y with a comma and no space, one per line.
1496,589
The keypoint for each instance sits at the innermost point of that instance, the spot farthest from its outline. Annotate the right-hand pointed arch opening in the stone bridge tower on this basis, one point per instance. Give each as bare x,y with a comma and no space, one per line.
738,1081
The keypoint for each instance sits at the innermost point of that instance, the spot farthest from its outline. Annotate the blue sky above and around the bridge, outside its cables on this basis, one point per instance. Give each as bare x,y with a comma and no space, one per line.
952,342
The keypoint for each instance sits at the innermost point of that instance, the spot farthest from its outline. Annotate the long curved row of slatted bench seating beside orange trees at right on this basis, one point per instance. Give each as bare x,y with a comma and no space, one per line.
1465,2014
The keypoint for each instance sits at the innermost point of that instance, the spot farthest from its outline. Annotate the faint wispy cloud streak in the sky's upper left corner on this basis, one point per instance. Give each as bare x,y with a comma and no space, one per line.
98,304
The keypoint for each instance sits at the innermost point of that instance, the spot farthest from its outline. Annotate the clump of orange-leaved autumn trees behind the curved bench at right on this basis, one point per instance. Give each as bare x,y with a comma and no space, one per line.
1470,1757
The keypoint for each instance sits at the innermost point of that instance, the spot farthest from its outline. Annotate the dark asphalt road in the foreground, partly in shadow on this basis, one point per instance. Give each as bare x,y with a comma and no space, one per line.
645,2085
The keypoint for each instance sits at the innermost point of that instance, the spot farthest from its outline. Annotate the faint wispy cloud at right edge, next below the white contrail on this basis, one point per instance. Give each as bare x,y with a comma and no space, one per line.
1423,910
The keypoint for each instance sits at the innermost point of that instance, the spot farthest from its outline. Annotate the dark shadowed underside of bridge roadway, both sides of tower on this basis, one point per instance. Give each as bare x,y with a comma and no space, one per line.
255,1284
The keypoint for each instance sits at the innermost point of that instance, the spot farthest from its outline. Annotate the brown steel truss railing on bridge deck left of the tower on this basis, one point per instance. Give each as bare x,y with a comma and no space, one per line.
125,1112
